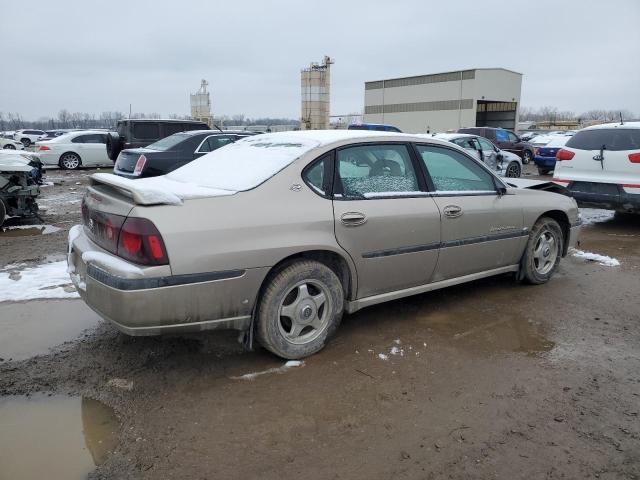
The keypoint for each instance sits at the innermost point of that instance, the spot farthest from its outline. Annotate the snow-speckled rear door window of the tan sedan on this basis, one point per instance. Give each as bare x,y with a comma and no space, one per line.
372,171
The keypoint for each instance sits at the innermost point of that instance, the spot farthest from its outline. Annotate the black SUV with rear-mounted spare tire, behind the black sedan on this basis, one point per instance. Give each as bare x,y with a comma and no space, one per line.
135,133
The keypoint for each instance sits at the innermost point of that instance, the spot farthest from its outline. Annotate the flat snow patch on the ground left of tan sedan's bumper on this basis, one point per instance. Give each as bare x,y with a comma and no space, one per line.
49,280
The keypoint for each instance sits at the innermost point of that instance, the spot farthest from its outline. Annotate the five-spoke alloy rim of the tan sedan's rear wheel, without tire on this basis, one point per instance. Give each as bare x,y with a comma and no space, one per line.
304,312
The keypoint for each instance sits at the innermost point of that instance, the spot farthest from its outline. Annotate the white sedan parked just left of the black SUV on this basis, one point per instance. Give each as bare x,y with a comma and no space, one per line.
76,149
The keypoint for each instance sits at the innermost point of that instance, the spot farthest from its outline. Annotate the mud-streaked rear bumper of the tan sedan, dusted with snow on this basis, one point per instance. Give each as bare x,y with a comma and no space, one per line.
148,302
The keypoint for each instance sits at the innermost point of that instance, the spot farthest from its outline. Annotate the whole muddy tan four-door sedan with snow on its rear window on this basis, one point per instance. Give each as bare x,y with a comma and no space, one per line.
279,234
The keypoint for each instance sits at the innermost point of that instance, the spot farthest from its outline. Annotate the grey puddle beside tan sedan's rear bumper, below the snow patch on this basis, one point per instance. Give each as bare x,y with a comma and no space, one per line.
32,328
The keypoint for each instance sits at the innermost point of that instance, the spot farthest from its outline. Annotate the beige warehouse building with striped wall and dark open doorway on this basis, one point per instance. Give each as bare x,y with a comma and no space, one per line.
445,101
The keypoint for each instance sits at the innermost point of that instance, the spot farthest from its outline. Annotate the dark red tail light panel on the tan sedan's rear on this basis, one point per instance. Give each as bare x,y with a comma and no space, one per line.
134,239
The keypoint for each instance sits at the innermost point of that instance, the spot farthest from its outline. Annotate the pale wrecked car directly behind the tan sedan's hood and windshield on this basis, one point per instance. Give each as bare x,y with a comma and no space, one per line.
506,164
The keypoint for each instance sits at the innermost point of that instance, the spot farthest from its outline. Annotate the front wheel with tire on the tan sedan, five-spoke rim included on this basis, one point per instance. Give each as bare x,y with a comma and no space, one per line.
541,258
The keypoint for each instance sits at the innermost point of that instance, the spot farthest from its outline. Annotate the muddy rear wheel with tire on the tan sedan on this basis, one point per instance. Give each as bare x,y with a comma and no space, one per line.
299,310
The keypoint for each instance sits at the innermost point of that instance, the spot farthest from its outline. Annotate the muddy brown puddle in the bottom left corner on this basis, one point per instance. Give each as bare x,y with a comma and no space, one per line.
54,437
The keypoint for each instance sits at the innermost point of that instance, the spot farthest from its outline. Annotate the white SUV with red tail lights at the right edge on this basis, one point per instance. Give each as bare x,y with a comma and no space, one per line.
600,165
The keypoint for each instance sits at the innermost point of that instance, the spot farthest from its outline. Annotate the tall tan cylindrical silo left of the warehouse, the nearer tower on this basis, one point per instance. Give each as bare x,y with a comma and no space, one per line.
316,83
